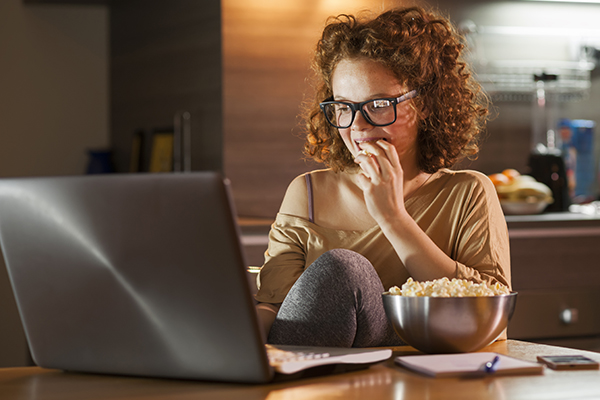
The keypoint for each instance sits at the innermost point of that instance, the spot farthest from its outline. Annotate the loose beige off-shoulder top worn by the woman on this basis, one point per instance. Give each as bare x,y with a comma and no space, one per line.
458,210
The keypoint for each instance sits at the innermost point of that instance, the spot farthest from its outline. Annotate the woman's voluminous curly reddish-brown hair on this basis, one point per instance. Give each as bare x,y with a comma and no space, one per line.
423,50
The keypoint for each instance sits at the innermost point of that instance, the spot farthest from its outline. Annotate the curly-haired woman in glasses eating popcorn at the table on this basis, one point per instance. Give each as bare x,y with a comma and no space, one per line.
396,107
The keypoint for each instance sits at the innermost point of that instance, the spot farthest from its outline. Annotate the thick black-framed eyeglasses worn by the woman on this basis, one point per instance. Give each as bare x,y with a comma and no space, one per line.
377,112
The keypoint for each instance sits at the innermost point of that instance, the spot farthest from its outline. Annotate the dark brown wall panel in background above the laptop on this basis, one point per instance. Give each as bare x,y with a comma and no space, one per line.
165,57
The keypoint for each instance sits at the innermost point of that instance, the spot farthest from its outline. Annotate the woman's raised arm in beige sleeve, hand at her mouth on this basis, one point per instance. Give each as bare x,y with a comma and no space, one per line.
474,239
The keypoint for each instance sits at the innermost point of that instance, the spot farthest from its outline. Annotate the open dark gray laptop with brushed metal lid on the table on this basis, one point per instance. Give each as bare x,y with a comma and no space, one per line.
143,275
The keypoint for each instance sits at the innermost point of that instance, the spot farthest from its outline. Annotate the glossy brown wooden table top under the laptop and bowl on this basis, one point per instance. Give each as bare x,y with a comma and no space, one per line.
382,381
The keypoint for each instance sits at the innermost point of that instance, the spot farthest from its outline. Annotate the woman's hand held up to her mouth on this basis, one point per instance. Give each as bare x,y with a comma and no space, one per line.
381,180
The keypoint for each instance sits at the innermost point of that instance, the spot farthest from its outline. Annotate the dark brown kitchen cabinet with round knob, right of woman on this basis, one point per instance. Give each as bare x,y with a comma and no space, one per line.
556,270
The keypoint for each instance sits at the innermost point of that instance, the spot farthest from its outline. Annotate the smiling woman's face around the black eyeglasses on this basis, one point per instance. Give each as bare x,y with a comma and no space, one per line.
358,80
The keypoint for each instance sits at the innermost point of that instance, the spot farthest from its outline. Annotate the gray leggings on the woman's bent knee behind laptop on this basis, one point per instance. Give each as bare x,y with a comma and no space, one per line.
336,302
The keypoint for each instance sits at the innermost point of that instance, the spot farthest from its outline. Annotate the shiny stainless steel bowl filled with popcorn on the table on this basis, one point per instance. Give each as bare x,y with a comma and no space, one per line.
449,324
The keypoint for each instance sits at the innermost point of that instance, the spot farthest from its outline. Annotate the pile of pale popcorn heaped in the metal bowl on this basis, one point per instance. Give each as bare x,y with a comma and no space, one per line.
445,287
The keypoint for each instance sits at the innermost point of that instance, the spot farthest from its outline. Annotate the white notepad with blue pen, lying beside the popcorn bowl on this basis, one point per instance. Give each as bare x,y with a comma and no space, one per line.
466,365
